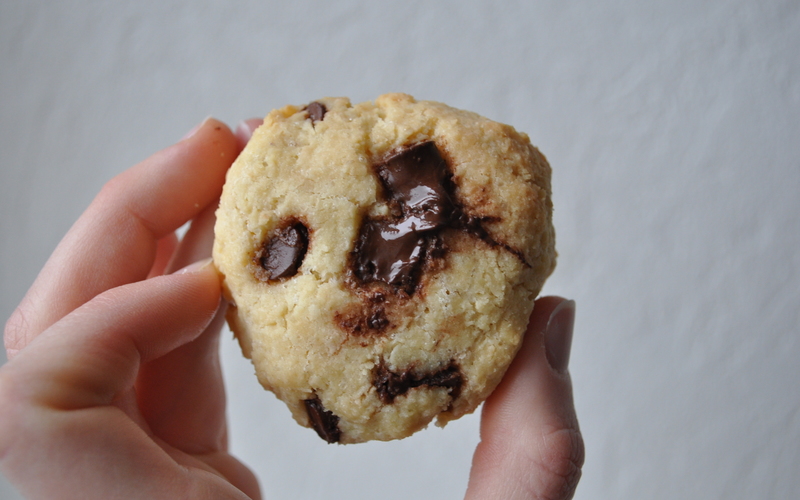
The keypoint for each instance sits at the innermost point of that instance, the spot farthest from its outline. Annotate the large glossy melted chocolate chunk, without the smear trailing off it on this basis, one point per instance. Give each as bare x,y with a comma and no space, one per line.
393,249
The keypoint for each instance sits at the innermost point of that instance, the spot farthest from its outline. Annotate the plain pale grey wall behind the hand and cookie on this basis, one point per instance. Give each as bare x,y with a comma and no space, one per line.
673,130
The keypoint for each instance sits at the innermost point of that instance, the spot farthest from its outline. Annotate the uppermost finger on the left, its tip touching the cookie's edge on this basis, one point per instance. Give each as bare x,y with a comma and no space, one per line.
114,241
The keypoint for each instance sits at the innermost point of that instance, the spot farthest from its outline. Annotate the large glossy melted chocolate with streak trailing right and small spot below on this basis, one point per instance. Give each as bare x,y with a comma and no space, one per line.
395,250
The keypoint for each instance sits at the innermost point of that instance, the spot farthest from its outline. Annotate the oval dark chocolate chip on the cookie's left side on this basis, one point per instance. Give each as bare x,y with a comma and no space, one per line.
283,253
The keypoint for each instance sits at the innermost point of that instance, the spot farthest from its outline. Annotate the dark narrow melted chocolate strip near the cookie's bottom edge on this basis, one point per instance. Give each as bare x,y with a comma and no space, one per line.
390,384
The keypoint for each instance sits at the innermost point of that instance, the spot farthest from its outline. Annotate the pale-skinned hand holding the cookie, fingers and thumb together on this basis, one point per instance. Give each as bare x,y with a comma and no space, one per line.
113,387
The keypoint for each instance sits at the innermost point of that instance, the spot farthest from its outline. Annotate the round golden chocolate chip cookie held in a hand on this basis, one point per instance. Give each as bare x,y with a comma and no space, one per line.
382,260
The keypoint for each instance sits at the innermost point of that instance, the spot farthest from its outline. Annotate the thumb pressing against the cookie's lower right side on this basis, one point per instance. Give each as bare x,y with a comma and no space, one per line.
531,446
